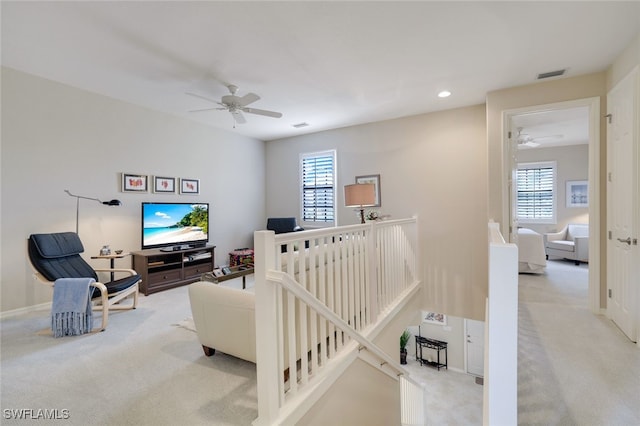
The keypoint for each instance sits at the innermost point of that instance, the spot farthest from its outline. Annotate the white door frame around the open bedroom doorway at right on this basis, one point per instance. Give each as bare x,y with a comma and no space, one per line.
594,176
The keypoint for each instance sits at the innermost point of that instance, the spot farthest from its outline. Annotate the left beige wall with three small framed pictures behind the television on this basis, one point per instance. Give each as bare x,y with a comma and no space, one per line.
56,137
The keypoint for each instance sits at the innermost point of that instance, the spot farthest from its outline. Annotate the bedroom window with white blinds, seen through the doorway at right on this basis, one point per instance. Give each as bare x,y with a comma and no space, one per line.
536,194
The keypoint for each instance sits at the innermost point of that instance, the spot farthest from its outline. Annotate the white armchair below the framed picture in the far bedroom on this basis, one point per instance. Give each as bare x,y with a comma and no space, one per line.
572,242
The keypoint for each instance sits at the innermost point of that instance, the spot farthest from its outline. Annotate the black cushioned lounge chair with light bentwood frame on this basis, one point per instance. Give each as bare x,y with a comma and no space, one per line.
57,255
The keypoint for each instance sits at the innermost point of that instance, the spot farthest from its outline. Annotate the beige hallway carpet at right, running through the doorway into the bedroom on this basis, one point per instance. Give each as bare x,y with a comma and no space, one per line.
574,368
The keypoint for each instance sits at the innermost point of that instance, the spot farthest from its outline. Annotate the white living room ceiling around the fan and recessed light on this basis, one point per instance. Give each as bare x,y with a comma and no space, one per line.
328,63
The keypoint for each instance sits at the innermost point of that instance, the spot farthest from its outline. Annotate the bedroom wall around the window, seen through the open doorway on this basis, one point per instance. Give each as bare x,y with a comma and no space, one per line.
572,164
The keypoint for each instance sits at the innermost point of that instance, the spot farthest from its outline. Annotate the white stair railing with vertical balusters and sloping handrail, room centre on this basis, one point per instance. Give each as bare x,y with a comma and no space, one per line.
318,303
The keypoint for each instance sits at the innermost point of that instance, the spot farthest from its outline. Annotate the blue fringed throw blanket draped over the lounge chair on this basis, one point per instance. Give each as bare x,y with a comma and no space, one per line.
71,312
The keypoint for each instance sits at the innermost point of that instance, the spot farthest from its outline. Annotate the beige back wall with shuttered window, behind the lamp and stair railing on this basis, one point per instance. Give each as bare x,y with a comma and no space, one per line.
433,165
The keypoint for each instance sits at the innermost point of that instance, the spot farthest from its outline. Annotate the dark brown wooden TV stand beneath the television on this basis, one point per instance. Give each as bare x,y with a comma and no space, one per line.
162,270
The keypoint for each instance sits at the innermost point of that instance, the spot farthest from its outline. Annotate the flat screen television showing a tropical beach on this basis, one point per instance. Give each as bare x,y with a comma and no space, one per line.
175,225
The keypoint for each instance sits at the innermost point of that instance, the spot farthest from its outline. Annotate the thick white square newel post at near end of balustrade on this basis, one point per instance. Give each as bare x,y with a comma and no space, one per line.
268,388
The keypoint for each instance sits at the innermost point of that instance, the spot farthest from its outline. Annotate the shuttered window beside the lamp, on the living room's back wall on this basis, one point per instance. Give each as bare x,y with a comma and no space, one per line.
317,174
